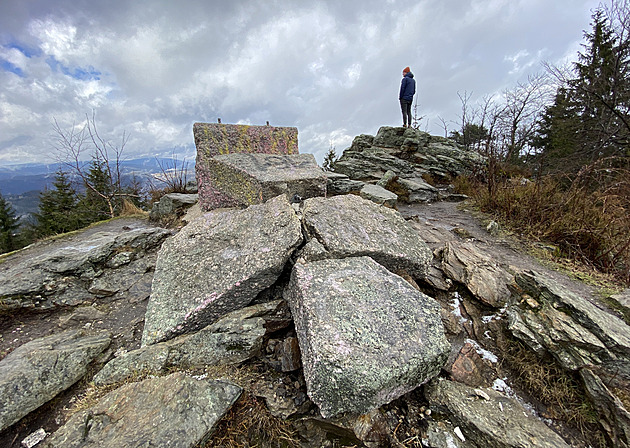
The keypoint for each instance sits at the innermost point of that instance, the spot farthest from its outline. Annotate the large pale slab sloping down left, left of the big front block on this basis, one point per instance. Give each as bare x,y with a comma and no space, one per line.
217,264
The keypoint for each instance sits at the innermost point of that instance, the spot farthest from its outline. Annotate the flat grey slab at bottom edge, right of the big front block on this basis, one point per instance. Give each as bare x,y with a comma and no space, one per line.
488,418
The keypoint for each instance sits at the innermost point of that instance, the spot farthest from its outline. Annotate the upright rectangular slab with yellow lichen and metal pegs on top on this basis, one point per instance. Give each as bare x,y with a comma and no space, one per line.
213,139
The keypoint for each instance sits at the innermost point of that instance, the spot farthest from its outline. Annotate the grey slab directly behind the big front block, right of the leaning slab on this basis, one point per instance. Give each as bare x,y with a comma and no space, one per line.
350,226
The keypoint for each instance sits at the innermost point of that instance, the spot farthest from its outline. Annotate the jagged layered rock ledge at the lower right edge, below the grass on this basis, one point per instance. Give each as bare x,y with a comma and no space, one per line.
581,337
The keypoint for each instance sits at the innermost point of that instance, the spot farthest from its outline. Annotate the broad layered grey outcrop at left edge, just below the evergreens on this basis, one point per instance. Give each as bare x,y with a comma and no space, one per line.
61,272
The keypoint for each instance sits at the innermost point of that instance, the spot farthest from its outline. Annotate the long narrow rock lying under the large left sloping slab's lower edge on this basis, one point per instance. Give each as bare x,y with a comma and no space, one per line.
233,339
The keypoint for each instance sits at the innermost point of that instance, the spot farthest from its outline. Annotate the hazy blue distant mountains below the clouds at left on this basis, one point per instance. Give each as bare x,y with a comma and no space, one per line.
20,184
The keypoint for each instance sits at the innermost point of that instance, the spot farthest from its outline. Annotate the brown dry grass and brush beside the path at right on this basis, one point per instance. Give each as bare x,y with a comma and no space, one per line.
586,217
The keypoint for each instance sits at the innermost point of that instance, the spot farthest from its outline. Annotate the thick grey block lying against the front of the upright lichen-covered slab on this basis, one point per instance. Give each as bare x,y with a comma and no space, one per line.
254,178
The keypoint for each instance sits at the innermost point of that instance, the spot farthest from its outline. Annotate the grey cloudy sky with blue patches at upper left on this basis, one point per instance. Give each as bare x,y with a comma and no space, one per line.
151,68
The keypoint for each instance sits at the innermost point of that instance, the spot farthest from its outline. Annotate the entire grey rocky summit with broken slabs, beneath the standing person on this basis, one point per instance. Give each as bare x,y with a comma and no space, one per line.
360,307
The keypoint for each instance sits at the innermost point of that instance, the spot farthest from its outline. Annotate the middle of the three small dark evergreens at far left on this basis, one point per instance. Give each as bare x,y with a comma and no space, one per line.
58,208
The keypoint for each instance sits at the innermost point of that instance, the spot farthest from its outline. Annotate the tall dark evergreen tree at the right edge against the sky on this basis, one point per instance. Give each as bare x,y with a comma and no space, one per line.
590,117
